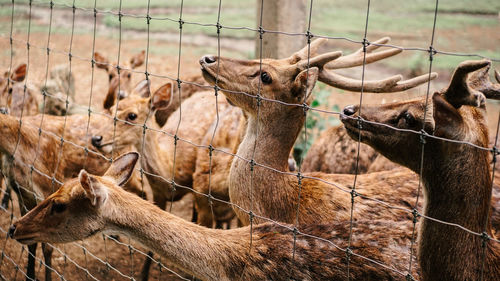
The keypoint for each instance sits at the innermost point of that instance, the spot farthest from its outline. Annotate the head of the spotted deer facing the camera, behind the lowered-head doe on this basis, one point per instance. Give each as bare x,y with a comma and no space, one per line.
132,113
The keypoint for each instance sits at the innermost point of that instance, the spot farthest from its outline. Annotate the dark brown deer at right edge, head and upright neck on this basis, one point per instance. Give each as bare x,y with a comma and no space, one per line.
456,175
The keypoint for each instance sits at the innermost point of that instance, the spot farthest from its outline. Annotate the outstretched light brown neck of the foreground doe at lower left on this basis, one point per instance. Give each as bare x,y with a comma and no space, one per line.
206,253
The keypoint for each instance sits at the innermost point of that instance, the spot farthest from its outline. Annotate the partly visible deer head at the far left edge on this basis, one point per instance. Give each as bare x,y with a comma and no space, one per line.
9,86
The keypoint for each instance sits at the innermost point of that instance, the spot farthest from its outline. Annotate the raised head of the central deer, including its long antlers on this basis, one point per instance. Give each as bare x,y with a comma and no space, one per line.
291,80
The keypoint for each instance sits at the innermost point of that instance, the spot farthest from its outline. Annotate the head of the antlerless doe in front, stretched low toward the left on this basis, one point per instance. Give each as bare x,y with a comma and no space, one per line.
77,210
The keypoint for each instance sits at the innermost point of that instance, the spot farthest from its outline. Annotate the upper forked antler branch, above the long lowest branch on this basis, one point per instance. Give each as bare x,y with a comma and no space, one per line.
356,58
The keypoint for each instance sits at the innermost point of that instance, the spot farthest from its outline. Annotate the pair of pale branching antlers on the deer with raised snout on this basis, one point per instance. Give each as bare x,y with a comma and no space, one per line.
334,60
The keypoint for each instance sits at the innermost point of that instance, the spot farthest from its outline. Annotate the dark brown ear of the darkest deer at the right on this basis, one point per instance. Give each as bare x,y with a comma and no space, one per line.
447,119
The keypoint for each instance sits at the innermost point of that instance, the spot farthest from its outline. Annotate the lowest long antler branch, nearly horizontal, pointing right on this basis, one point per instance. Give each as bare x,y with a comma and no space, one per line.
388,85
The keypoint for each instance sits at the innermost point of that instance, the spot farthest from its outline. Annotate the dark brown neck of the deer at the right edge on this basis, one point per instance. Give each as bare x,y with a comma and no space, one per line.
459,194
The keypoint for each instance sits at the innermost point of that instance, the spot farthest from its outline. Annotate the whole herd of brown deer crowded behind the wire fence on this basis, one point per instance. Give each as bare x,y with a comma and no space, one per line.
242,156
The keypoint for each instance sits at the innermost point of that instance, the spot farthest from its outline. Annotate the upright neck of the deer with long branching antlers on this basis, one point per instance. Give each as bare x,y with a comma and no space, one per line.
265,191
